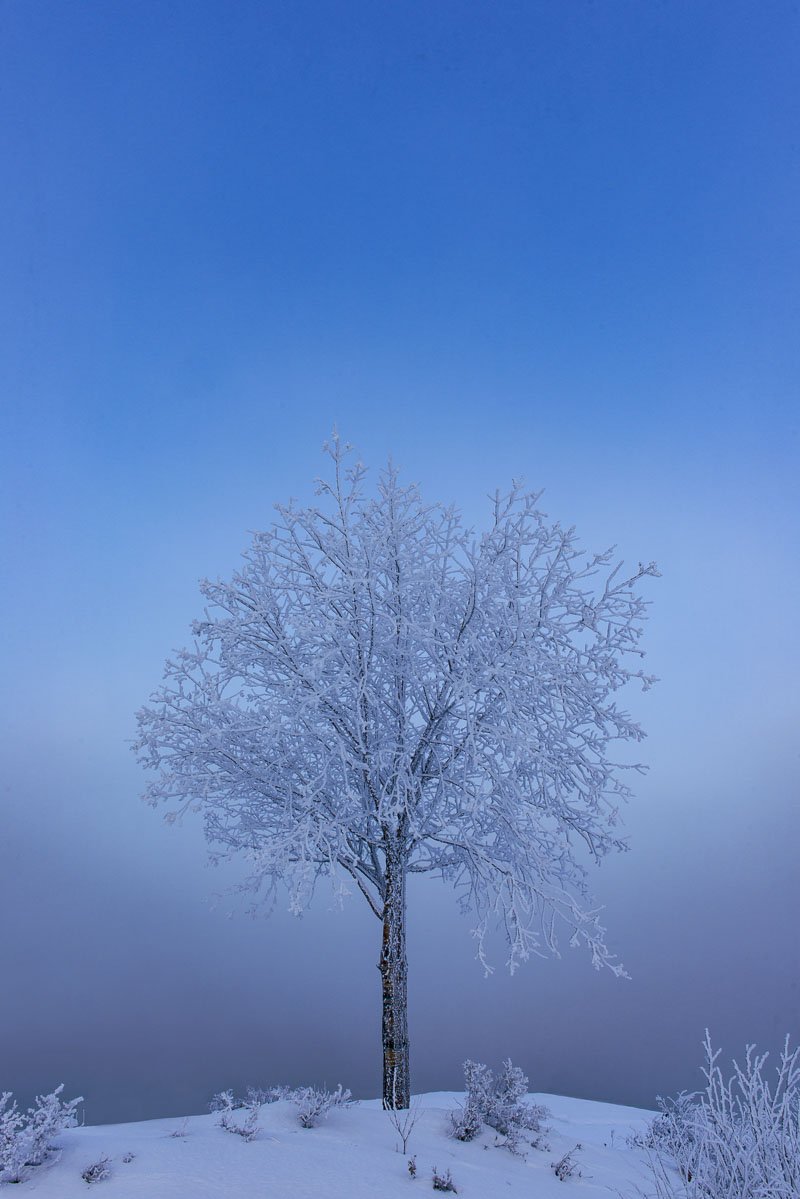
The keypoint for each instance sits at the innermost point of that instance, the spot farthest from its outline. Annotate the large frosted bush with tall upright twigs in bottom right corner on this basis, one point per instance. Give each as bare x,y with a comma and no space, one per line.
736,1140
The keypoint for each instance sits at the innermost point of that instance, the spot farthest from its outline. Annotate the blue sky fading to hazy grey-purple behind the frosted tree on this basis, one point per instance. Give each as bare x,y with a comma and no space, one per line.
556,239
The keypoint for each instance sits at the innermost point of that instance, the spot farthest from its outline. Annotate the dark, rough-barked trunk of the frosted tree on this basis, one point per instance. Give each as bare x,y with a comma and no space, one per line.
394,974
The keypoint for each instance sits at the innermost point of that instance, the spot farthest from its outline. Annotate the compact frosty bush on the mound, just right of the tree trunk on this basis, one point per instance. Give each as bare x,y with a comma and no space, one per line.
497,1102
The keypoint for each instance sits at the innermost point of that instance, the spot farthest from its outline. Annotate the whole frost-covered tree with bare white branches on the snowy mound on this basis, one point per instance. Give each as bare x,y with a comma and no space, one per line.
378,692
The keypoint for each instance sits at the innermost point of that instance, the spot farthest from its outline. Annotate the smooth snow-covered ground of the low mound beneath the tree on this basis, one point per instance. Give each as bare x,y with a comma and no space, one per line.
356,1154
